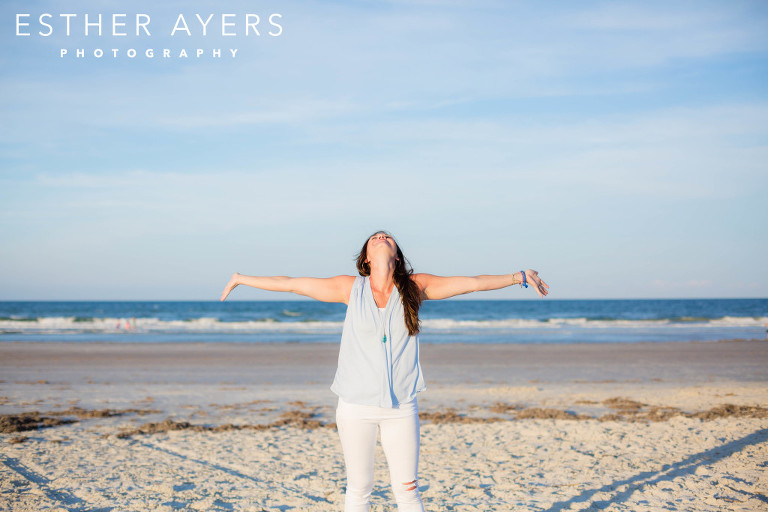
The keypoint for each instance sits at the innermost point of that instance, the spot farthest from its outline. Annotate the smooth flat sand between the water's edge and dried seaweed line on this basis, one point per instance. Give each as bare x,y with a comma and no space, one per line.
179,377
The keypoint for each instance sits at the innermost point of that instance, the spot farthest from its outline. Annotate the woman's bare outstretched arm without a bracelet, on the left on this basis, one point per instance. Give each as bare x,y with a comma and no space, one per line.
330,289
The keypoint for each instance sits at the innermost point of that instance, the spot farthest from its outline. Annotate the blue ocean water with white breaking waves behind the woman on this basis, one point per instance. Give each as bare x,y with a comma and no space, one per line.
448,321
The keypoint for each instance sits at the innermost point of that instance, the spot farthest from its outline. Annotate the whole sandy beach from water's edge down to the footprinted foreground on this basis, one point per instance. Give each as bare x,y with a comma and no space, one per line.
630,427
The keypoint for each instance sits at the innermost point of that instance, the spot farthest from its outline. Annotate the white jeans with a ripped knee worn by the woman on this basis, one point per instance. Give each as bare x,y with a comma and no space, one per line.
358,428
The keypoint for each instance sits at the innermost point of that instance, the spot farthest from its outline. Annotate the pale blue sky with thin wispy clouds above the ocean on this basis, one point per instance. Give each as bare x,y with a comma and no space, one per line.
620,148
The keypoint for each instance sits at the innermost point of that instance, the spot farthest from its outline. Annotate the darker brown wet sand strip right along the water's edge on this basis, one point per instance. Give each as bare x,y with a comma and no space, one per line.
31,353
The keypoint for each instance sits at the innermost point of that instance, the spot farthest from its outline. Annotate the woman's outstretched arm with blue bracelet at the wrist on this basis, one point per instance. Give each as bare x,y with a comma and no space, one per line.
439,287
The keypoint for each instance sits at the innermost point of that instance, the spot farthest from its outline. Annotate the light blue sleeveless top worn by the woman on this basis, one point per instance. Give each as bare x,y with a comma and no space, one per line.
378,359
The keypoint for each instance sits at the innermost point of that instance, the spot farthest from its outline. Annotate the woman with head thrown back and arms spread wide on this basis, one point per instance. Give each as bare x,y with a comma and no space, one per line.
379,374
